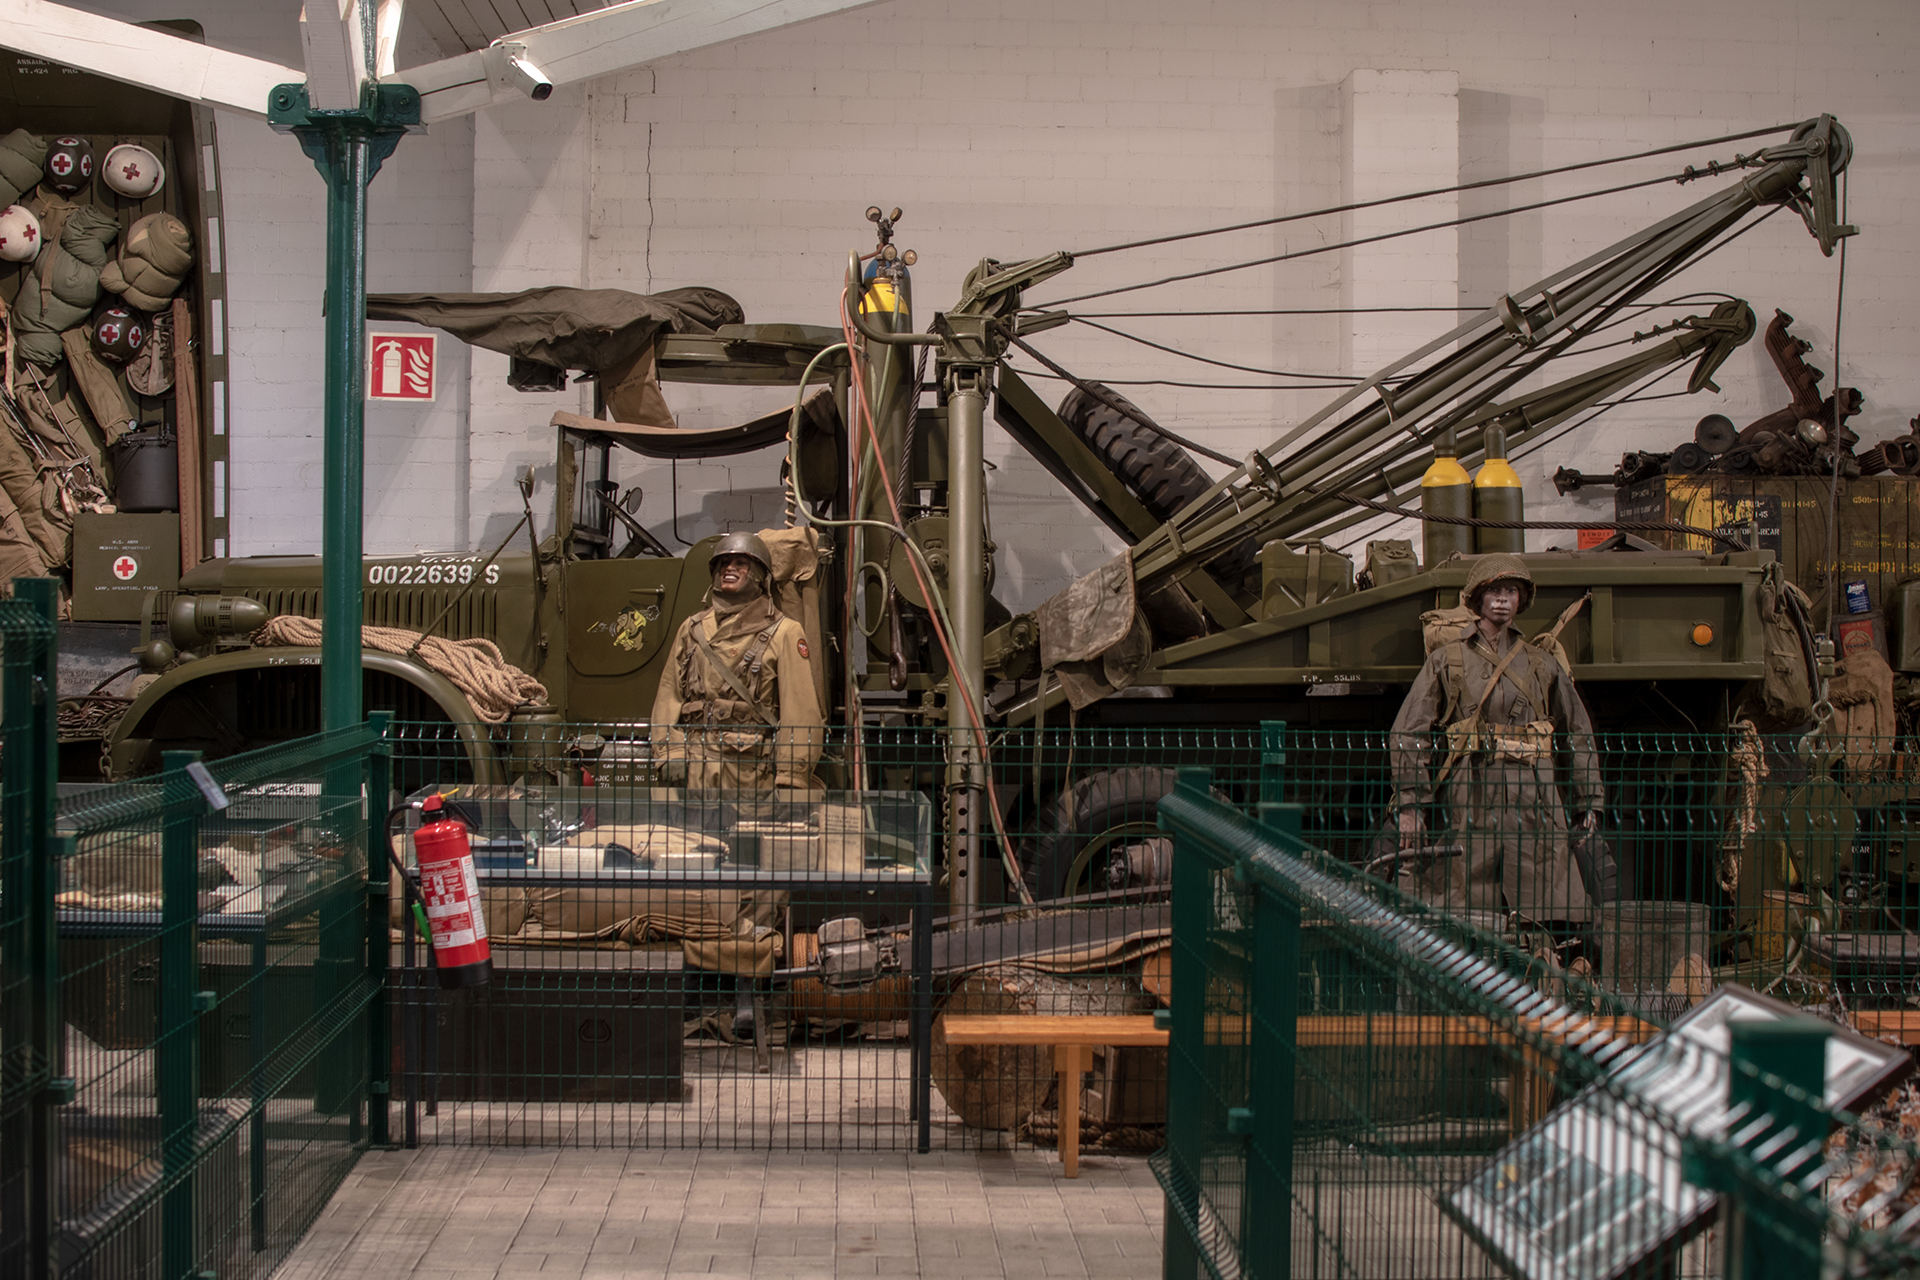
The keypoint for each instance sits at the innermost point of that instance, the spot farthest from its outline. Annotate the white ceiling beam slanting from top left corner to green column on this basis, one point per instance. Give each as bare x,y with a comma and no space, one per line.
143,57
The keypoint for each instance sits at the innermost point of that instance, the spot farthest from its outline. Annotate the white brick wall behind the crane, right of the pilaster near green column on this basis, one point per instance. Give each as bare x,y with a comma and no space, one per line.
1015,130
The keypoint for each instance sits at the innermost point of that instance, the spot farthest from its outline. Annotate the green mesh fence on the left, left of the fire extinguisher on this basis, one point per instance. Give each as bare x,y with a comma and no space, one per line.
208,1020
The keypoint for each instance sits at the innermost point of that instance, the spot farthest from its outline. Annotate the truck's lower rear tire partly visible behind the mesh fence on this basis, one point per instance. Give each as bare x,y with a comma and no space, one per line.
1101,834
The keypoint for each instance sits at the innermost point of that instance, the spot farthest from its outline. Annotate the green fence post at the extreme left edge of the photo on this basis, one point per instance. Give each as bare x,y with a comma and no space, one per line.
32,1037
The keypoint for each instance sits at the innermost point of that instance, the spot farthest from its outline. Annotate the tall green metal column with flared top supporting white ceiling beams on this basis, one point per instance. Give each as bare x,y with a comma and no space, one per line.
348,149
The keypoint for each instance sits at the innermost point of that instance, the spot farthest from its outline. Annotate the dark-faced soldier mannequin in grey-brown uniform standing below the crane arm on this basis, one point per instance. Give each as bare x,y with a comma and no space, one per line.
1502,703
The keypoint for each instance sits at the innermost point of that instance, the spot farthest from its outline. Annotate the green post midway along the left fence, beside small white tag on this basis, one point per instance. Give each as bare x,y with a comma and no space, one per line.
178,1049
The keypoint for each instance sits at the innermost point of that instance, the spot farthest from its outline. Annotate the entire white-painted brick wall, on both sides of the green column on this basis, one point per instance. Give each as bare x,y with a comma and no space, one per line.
1013,130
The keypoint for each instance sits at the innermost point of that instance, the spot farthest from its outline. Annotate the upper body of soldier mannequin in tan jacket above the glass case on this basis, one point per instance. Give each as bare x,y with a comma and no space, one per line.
736,705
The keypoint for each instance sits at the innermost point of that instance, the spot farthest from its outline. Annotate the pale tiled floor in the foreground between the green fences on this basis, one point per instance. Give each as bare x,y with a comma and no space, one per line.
483,1214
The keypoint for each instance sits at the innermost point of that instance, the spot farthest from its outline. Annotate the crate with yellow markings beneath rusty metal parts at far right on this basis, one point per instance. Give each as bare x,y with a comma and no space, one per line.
1877,521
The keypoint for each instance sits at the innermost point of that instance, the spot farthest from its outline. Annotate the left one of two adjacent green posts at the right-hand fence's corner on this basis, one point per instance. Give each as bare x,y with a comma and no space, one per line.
1193,901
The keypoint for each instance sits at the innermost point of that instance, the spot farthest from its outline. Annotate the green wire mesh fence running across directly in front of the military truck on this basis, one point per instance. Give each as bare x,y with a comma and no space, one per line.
1714,859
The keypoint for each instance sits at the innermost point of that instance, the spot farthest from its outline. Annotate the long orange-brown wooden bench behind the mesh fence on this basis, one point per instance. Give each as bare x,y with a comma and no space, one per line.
1074,1039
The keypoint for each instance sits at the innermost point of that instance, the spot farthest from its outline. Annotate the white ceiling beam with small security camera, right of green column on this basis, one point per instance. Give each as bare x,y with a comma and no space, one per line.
602,43
